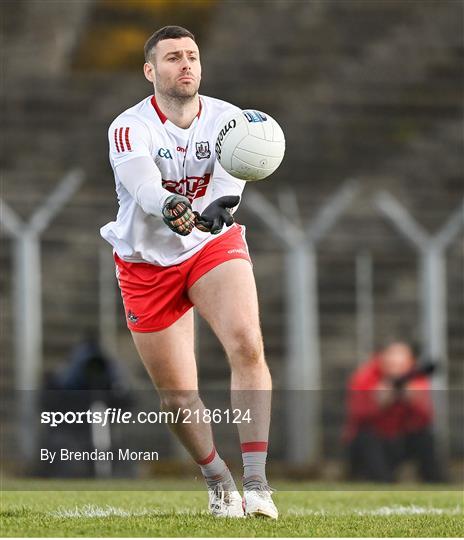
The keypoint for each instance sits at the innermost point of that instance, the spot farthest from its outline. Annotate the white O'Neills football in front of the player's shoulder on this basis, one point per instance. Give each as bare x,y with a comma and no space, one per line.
250,145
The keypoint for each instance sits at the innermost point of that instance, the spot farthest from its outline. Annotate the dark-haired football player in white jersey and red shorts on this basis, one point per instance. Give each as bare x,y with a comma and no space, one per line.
176,246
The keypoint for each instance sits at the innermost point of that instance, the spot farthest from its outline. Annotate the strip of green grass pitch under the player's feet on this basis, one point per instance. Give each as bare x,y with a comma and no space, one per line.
310,511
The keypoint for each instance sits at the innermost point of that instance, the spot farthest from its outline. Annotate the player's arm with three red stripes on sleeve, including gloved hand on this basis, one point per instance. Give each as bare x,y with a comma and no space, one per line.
135,168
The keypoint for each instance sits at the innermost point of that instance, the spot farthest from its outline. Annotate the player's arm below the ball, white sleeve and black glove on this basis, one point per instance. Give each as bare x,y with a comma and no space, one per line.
227,192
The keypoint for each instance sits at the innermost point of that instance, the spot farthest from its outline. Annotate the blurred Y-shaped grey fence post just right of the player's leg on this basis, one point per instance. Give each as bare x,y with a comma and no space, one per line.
303,369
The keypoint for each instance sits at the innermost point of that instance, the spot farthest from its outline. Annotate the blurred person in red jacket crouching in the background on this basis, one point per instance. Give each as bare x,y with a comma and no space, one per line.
390,417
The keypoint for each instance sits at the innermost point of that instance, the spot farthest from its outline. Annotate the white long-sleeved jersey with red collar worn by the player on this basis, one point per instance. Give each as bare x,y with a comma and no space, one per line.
183,161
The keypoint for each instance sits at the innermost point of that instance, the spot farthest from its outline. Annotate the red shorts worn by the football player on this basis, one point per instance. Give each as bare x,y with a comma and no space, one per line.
156,296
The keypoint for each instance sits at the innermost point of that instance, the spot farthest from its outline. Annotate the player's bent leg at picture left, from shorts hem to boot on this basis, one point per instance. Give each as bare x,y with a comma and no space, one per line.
169,360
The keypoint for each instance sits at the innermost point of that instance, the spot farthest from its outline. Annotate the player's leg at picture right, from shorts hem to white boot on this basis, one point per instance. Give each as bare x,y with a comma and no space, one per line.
226,297
